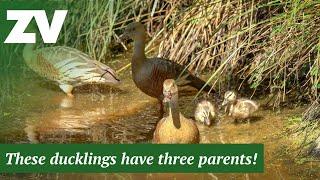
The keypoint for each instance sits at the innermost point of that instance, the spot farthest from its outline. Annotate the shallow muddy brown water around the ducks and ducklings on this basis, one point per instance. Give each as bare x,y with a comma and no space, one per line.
36,111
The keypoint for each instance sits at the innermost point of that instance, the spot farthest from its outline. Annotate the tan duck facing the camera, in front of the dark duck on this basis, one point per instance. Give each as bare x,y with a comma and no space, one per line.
174,128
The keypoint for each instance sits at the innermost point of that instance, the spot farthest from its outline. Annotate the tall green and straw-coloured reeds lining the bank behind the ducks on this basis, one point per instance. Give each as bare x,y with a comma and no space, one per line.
257,46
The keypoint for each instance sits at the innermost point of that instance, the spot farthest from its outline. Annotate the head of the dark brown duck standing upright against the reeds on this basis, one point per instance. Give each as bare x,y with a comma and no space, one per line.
134,31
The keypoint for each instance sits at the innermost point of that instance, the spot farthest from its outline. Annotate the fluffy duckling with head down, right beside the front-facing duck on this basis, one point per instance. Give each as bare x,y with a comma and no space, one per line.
205,112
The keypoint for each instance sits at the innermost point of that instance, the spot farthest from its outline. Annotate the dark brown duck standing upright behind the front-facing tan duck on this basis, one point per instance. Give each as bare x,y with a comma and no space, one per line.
149,74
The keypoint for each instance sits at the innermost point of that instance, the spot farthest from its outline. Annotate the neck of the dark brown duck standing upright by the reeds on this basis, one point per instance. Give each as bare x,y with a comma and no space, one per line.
138,51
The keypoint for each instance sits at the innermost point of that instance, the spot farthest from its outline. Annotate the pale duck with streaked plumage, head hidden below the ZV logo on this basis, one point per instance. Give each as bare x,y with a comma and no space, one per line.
68,67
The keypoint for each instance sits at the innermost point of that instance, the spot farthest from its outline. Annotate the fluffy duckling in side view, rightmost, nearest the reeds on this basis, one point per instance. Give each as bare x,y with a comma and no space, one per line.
238,108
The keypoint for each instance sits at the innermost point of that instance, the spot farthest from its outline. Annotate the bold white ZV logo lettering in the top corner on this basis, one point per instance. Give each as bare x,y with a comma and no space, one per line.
49,33
